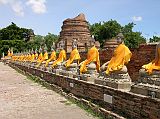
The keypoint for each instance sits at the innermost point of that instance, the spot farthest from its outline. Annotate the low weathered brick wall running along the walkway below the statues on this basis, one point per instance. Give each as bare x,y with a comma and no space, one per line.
127,104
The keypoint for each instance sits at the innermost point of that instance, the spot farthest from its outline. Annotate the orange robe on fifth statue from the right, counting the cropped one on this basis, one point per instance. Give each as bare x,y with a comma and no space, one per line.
61,58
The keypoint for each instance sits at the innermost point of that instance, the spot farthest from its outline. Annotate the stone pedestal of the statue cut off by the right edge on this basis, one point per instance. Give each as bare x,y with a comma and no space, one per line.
148,85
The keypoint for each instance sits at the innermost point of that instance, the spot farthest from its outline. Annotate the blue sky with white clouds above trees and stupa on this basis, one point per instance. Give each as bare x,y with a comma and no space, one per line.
45,16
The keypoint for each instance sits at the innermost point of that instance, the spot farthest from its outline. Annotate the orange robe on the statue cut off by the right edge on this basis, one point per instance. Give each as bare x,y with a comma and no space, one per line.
155,64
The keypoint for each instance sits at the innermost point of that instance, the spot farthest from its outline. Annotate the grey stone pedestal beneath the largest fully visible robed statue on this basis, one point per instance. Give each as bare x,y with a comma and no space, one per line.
120,81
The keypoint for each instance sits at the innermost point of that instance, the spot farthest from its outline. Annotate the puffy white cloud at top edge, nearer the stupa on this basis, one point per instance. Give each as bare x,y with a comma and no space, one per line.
38,6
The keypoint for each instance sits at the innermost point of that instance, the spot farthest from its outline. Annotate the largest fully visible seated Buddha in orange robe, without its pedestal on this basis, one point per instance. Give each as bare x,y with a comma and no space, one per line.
121,56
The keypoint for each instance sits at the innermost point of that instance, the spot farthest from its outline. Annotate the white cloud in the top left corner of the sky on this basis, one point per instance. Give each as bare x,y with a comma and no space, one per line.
16,6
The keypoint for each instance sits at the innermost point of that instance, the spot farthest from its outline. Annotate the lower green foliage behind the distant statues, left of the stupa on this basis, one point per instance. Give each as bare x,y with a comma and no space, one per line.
21,45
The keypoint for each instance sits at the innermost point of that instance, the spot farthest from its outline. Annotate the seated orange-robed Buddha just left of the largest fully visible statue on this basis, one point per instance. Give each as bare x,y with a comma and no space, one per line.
92,63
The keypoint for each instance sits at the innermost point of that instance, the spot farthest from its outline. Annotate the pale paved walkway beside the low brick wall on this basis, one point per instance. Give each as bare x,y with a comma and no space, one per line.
23,99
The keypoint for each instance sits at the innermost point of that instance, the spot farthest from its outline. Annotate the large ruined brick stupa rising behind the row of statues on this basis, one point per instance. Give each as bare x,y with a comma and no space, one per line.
76,28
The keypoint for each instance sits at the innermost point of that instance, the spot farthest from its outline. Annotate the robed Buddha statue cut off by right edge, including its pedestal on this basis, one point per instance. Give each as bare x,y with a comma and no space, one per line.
148,83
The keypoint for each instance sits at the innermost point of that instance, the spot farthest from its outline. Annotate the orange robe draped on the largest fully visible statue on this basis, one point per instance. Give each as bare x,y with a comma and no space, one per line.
121,56
